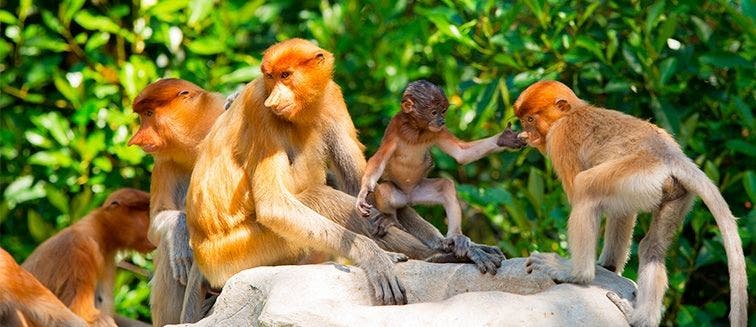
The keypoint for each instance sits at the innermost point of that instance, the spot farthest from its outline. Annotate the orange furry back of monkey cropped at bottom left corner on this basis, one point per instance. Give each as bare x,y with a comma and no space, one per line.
24,301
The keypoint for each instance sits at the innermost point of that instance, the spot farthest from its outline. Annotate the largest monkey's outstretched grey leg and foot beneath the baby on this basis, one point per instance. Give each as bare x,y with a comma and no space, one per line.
339,207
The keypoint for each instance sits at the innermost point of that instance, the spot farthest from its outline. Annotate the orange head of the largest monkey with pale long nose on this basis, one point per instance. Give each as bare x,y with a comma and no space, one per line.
296,73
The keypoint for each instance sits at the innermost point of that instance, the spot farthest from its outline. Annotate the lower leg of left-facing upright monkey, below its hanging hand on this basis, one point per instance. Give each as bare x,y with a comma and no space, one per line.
167,293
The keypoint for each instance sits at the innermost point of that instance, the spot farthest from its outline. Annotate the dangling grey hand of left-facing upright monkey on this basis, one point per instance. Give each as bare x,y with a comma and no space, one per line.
179,252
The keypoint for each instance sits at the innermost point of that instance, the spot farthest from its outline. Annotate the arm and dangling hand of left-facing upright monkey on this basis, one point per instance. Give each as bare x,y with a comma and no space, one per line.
167,218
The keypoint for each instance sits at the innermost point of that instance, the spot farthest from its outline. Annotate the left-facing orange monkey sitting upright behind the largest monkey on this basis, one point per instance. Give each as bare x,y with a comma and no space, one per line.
174,116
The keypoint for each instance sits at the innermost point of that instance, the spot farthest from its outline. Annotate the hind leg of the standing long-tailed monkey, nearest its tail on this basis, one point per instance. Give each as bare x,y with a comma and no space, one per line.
652,272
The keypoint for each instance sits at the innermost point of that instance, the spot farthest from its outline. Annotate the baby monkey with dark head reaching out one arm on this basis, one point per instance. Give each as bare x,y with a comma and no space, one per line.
403,161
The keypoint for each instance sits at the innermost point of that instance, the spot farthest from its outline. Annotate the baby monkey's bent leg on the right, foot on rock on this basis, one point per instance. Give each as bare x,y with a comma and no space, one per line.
442,191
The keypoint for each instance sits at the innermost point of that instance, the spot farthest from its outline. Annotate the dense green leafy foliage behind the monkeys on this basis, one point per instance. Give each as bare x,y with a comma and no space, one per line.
70,70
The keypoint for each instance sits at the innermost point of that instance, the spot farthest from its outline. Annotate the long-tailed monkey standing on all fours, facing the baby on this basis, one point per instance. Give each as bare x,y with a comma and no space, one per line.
617,164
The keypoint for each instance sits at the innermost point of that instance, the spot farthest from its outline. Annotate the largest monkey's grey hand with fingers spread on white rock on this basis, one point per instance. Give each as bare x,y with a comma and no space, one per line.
379,270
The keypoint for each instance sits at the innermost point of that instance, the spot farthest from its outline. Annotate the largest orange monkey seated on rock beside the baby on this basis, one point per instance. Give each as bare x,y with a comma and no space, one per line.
267,152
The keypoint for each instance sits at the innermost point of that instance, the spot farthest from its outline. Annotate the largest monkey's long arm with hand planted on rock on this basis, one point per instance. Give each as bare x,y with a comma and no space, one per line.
277,209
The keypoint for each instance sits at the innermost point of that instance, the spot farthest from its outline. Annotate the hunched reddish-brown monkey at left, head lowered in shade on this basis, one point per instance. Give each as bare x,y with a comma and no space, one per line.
78,263
